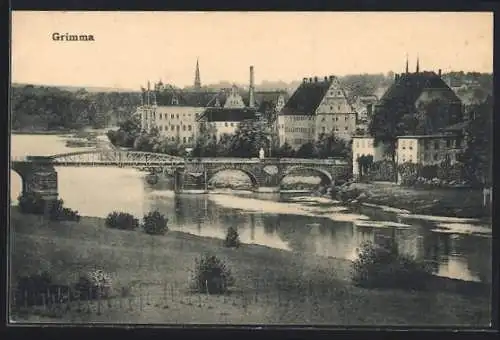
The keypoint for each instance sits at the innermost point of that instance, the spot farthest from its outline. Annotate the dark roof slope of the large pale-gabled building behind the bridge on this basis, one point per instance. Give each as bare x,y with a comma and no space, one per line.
306,99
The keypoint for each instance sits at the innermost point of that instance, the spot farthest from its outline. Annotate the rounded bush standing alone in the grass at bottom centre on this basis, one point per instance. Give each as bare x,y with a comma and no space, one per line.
212,276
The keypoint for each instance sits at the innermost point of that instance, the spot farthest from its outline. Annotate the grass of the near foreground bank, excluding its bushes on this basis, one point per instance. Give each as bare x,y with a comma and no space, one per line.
272,286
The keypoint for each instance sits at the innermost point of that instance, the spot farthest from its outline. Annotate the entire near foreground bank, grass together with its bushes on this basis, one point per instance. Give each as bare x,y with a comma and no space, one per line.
129,276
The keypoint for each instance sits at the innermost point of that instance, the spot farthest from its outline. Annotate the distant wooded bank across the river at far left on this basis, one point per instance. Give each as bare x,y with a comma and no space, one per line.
43,108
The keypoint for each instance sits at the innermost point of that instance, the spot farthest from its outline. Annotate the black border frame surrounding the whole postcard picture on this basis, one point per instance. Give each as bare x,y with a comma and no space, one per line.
273,331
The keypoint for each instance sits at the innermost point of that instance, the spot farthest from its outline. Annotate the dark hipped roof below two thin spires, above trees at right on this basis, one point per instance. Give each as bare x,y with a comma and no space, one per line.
409,86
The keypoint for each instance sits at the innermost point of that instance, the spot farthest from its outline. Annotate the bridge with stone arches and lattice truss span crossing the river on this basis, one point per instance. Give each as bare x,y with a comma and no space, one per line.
39,175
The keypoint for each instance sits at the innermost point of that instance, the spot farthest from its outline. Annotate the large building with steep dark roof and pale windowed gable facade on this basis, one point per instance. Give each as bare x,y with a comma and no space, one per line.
318,106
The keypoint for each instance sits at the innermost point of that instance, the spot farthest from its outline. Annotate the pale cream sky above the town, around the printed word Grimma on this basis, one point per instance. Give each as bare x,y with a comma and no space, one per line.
131,48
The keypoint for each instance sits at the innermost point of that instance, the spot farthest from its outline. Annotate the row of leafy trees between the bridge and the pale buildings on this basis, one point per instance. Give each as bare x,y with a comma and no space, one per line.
246,142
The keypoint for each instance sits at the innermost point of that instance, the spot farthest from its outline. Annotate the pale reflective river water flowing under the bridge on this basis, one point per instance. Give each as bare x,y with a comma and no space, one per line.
457,248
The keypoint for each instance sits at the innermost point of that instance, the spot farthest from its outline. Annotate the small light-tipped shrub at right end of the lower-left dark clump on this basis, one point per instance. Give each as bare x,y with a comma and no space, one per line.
94,284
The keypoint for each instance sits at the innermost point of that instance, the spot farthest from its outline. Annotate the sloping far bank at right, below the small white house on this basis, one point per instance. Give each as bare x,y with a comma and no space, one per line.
454,202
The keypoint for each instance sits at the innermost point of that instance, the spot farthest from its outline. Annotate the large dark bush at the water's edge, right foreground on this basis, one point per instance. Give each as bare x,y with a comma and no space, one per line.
384,267
